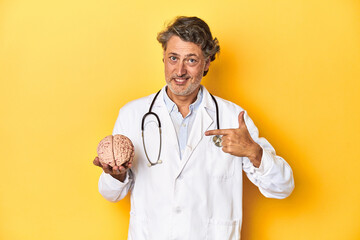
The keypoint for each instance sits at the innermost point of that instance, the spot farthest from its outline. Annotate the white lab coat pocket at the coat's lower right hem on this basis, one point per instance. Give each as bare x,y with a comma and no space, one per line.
223,229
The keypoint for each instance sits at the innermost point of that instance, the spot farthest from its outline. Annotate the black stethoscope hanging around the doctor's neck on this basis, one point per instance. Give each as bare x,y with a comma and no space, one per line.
216,139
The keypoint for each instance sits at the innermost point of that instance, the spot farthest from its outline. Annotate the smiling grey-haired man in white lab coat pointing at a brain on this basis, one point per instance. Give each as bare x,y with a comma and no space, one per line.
196,190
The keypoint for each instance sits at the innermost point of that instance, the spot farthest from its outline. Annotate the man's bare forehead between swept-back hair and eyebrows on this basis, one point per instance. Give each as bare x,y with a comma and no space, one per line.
180,47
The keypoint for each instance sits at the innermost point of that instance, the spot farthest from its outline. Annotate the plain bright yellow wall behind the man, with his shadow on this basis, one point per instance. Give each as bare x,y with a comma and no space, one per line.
66,67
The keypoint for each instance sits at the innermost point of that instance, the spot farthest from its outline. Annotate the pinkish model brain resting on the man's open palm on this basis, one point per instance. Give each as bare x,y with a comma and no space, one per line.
115,150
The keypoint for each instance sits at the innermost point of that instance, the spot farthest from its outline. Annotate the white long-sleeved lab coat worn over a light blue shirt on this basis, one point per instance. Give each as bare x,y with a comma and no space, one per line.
200,195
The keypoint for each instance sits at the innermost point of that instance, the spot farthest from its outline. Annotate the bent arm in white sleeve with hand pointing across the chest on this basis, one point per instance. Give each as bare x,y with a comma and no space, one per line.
263,167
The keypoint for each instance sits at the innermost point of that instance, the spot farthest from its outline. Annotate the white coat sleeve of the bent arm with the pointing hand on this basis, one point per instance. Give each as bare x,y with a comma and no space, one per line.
274,176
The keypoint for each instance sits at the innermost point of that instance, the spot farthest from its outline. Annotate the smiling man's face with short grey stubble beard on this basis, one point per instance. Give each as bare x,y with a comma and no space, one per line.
184,66
